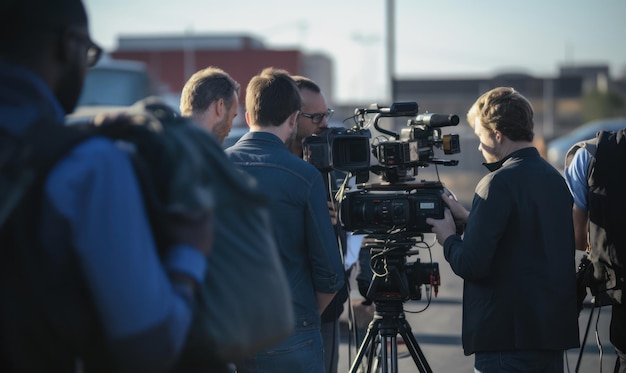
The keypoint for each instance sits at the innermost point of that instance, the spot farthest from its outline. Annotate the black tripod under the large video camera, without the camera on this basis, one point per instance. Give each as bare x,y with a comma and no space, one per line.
389,293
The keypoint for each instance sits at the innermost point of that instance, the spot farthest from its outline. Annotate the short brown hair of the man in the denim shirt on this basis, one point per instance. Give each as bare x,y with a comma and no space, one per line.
271,97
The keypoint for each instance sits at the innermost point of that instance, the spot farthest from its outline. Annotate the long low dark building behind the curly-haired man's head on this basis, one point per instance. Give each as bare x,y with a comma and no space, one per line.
556,101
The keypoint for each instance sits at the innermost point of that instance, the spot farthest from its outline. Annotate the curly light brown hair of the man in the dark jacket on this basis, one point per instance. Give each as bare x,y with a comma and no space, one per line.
506,110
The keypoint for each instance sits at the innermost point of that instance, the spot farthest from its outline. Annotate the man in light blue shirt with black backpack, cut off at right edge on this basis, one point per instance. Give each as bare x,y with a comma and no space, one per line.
595,173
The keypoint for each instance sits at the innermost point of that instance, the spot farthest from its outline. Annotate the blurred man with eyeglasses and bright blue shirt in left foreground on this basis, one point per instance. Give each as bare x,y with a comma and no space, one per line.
83,288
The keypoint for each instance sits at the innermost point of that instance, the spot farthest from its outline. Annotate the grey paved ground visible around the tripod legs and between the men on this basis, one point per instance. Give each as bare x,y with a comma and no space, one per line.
438,328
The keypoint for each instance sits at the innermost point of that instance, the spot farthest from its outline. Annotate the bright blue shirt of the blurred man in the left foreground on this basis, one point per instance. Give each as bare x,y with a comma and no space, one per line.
95,230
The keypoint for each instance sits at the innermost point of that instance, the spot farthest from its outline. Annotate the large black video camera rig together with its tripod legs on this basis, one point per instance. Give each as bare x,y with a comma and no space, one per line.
391,214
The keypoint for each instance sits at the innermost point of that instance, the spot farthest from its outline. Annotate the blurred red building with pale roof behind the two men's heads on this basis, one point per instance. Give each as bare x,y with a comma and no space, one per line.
172,59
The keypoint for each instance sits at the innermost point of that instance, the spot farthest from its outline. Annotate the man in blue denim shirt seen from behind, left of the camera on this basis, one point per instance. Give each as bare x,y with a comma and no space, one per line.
302,225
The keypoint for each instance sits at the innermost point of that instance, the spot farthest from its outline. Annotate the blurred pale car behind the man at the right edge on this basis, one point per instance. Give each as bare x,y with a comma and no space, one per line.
558,147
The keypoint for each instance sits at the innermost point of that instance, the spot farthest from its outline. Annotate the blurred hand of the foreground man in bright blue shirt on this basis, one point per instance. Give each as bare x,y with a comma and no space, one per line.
193,230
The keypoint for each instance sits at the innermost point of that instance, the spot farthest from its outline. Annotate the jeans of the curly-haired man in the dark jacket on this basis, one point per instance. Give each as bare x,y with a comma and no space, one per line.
519,361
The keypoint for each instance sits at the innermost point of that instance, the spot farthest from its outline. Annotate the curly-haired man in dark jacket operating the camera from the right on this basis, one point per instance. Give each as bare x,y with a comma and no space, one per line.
517,254
